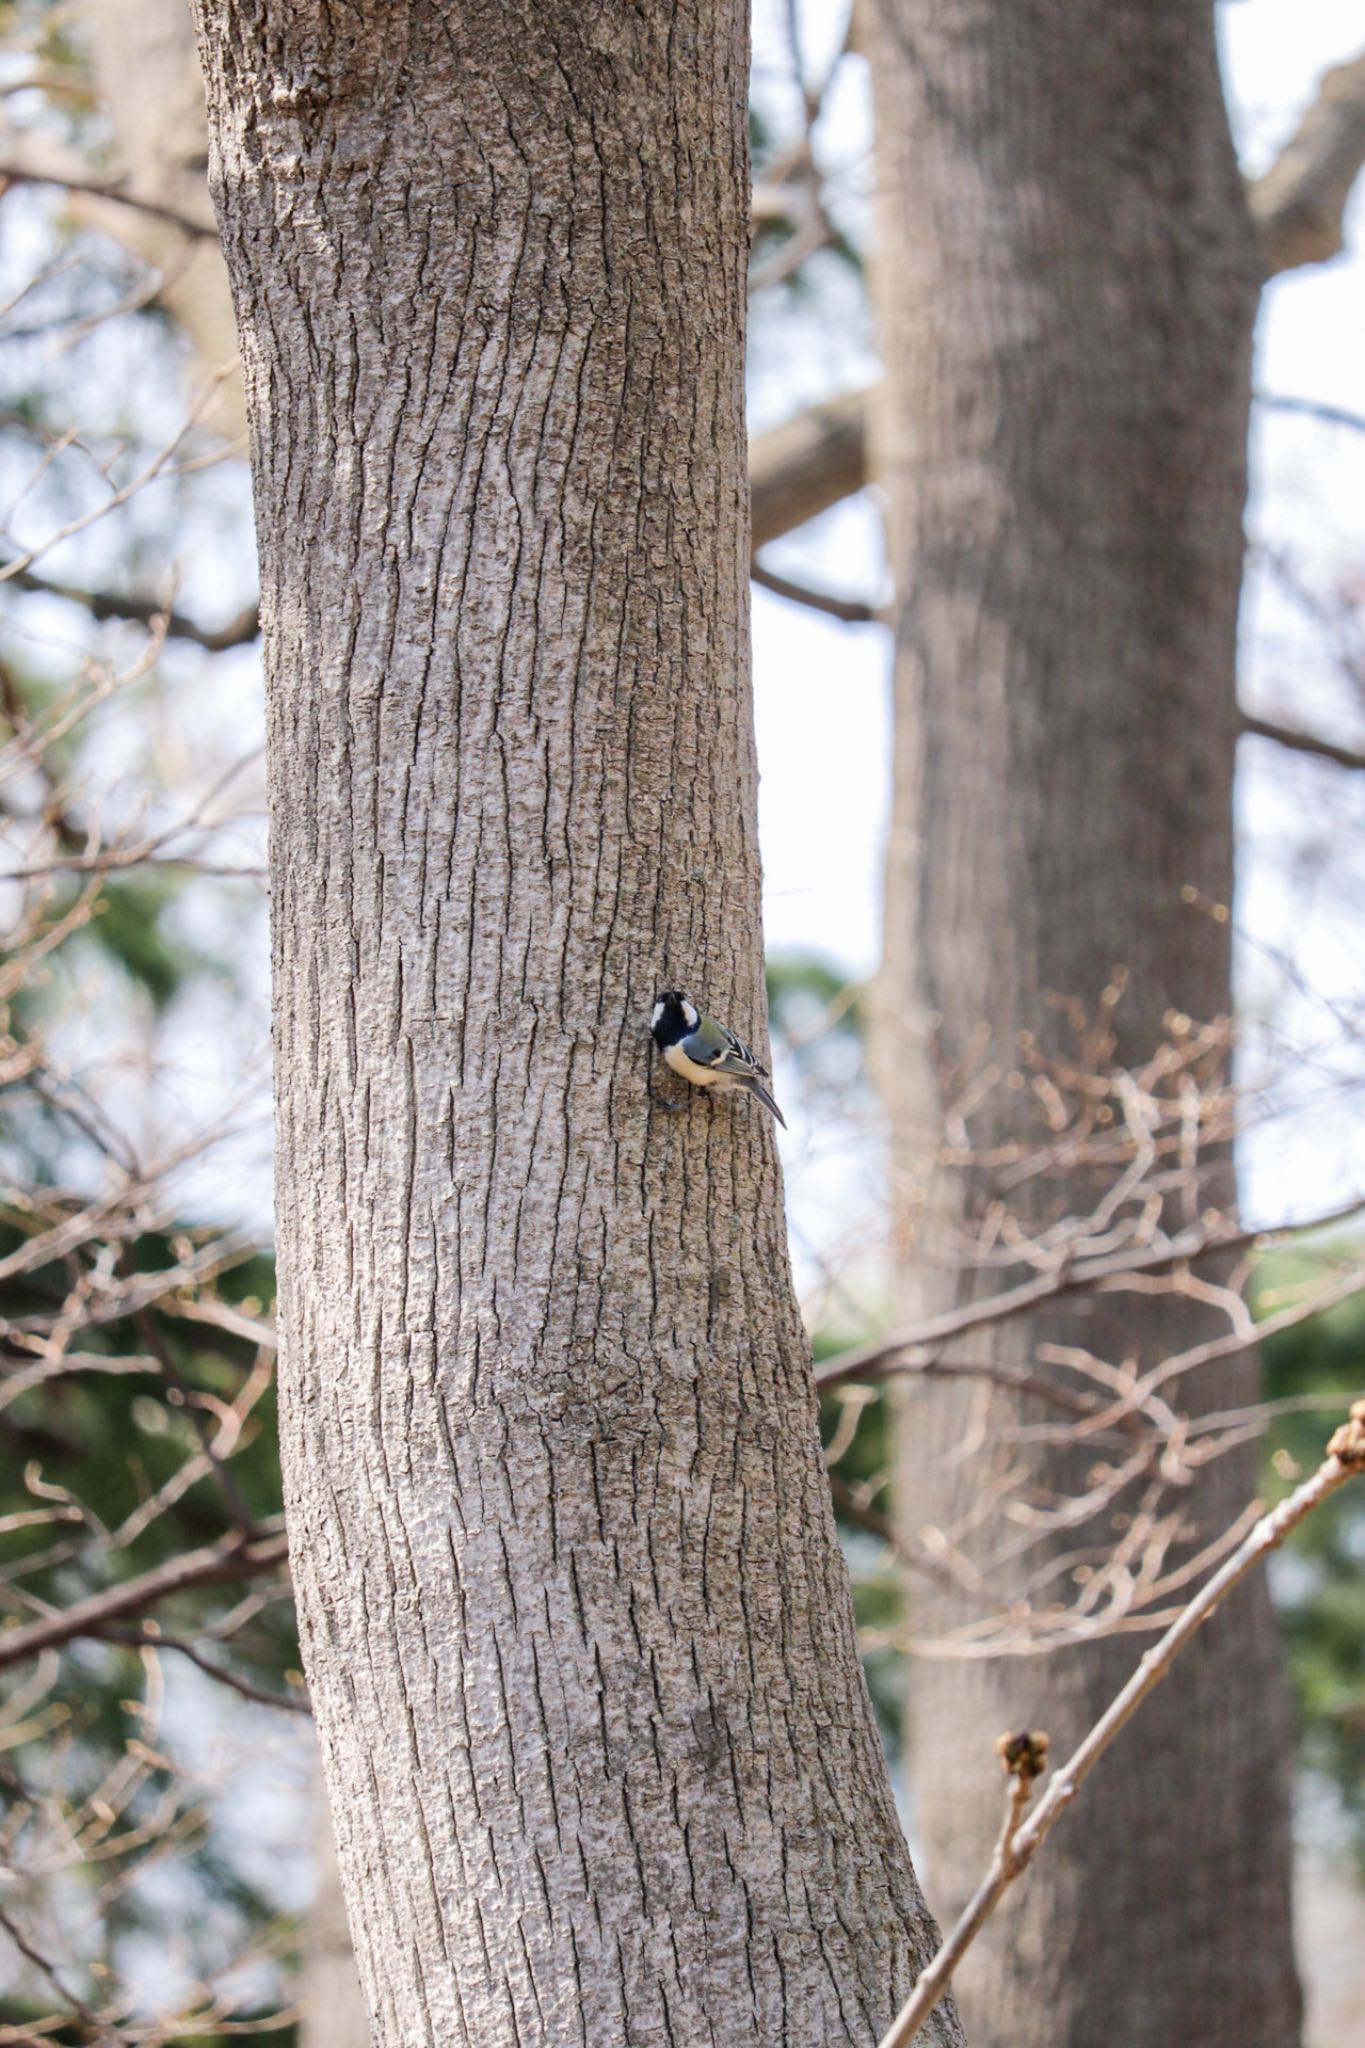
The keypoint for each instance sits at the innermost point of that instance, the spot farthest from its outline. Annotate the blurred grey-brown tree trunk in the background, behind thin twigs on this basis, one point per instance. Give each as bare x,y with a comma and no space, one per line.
1067,288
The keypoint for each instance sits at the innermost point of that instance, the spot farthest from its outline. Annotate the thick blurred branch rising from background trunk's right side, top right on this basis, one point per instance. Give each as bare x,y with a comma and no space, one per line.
1301,202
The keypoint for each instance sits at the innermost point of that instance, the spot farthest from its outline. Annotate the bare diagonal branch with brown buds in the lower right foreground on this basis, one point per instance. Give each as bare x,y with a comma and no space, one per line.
1346,1459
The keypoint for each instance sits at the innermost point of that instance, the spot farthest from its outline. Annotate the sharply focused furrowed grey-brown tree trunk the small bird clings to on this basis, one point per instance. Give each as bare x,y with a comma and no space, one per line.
574,1613
